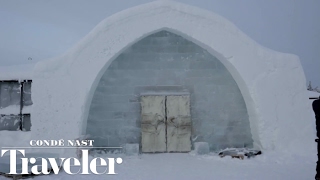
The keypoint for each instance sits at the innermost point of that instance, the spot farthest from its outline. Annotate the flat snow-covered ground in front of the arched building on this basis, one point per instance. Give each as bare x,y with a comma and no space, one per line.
270,166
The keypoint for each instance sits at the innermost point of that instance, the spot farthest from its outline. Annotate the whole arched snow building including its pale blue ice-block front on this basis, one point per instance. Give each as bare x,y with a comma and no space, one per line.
239,94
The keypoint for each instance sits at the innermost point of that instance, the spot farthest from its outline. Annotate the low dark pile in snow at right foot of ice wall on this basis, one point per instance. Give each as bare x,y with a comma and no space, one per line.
239,153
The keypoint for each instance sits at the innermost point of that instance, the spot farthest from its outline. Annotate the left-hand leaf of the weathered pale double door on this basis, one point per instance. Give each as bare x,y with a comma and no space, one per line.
153,126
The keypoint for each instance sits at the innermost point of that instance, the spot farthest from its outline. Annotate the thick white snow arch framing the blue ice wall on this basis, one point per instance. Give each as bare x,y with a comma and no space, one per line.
272,83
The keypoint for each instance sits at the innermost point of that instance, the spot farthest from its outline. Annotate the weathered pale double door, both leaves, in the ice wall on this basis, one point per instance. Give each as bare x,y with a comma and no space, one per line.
165,123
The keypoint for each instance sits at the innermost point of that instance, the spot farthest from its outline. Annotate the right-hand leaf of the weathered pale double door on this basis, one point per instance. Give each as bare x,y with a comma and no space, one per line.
178,123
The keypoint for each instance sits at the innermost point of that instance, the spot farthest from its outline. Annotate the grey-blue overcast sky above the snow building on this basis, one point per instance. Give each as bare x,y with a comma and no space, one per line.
46,28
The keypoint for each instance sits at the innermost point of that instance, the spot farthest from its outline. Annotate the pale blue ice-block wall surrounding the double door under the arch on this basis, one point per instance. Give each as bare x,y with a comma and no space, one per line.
165,63
